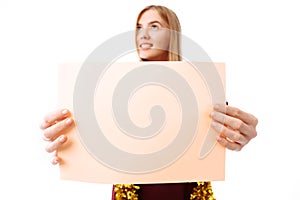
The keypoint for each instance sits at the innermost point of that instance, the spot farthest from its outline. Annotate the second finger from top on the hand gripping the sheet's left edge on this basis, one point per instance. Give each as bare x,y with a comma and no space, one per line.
53,131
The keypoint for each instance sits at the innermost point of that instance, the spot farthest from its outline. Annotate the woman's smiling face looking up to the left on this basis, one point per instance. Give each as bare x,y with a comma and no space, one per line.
152,37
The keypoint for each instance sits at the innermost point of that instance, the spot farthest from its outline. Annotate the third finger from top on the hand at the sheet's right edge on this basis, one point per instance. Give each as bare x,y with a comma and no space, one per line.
231,135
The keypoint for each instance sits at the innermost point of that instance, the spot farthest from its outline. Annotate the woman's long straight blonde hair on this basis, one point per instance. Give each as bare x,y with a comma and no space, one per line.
170,18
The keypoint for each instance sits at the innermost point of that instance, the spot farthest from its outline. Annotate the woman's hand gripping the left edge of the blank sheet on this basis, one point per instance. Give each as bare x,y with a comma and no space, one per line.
54,126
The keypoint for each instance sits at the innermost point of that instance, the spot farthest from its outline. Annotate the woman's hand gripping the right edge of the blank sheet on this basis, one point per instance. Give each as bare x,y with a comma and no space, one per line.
236,127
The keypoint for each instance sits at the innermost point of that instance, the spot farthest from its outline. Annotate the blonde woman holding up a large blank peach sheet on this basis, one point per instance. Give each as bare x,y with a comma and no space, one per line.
155,43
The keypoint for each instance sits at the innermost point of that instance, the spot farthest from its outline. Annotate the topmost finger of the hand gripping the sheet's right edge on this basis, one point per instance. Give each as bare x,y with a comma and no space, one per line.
237,113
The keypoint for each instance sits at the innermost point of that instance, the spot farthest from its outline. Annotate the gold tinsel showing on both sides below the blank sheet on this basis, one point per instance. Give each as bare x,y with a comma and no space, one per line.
203,191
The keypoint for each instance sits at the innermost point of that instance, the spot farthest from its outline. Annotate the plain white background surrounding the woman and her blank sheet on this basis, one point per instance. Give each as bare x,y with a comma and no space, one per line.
258,40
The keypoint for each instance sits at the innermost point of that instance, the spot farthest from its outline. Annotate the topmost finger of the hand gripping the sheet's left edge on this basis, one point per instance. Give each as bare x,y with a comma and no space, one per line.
54,117
